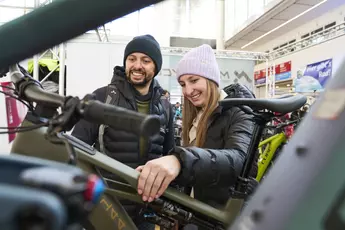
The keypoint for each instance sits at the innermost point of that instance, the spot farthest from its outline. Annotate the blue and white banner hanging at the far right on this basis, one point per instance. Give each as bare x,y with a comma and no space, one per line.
313,77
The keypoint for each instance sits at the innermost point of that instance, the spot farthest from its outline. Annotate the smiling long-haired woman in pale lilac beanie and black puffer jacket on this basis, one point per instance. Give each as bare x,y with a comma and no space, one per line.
215,140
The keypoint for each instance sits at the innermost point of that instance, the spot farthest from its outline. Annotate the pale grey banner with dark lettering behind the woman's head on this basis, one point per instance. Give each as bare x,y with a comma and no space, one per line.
231,71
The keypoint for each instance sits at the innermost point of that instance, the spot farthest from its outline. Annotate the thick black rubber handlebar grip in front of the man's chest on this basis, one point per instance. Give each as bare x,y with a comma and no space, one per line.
120,118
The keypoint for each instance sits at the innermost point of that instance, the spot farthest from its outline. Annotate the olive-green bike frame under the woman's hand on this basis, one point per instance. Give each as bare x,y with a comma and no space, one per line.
34,143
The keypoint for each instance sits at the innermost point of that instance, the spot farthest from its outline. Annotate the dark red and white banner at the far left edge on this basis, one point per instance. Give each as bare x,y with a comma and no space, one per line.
15,110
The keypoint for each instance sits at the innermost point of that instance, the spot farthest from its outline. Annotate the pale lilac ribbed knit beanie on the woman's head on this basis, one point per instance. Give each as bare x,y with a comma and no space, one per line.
199,61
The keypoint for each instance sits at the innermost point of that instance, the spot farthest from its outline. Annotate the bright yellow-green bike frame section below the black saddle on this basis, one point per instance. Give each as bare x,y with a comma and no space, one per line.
272,143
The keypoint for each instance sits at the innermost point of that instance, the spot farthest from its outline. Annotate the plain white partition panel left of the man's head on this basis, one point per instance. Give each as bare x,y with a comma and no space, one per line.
88,65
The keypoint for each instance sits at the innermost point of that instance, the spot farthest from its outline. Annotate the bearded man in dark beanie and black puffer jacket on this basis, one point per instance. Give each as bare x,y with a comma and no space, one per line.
133,87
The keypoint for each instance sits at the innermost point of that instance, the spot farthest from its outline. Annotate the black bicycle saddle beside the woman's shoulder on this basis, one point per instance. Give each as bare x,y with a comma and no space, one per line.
284,104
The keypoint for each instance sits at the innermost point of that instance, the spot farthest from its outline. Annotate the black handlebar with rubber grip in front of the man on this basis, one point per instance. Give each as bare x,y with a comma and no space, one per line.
91,110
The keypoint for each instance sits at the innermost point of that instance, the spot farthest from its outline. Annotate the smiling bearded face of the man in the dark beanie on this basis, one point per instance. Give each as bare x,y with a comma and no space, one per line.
140,69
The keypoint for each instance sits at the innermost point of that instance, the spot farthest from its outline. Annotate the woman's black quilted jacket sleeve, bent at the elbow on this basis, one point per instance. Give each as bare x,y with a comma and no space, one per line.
206,167
